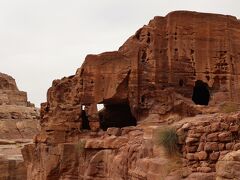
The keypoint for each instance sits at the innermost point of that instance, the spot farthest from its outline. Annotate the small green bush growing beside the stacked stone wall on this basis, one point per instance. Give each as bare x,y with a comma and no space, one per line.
167,137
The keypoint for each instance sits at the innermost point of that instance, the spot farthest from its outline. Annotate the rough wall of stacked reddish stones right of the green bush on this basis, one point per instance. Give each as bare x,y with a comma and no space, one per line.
207,139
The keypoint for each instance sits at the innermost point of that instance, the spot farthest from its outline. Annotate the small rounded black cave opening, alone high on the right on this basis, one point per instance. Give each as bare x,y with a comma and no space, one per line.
201,93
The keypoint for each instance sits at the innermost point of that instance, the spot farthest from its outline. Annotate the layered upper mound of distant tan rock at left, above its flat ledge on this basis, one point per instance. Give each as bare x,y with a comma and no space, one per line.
18,117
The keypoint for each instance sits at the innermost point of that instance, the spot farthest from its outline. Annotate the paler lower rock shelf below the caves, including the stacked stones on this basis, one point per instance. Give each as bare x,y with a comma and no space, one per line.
133,153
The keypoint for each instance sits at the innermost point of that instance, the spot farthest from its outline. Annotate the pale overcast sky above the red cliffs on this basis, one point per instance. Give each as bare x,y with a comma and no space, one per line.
43,40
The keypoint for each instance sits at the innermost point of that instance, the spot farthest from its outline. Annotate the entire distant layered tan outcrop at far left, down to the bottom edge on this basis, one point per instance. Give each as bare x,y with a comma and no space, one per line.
18,124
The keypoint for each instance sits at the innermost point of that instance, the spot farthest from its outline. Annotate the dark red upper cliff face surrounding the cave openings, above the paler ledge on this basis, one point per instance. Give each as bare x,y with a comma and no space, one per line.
168,55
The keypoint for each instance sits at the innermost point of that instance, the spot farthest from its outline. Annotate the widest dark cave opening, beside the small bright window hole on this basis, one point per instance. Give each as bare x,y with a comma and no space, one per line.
116,115
